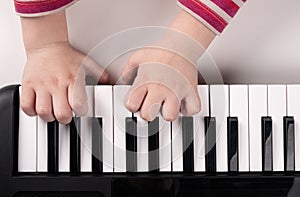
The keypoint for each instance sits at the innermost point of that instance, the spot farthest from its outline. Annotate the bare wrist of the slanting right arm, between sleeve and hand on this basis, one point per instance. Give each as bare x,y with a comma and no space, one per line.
186,38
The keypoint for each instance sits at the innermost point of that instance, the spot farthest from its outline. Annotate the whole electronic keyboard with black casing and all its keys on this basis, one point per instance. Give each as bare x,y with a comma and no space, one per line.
244,142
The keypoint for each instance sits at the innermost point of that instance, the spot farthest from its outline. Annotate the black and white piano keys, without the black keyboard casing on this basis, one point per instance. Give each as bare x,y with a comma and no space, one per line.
241,128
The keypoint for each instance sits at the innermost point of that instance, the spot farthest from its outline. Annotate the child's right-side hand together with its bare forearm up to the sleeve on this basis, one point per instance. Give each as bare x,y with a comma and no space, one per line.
166,80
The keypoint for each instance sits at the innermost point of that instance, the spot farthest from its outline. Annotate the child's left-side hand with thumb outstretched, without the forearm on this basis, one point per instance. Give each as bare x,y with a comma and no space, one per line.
54,82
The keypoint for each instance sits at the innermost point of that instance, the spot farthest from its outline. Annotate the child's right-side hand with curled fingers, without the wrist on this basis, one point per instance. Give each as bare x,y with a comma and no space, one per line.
163,79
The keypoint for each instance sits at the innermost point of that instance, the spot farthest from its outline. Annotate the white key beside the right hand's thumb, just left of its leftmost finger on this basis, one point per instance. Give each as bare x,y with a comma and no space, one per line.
120,114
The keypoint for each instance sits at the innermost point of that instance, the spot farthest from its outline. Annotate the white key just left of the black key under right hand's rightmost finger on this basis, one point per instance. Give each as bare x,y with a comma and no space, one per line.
177,152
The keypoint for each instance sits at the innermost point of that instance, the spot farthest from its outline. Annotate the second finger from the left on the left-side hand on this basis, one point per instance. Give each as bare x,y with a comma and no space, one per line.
44,105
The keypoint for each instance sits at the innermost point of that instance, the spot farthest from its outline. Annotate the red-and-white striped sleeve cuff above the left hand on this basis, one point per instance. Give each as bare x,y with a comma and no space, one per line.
35,8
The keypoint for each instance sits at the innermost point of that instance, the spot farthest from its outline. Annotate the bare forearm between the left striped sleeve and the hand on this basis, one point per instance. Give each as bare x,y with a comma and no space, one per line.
45,30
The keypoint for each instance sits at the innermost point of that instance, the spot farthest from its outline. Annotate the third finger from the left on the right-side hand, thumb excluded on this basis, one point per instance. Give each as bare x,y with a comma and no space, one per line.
171,108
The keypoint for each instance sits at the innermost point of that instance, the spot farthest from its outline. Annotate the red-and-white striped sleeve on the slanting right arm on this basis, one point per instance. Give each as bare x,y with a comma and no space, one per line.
215,14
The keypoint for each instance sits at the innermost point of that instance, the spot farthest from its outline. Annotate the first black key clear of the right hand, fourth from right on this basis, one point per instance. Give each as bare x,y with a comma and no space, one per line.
210,144
